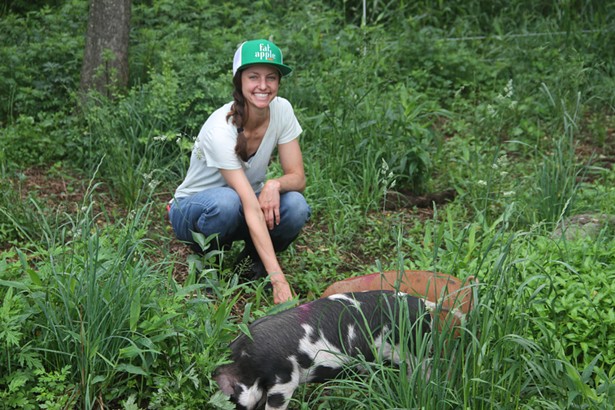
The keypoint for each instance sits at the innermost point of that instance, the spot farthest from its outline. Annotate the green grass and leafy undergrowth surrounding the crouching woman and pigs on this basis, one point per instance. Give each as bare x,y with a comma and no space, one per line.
510,104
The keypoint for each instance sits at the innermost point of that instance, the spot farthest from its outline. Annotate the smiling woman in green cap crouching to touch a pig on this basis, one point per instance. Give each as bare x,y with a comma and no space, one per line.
225,191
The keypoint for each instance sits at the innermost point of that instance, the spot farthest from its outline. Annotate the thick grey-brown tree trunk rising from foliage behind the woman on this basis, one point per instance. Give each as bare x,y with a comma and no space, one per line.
105,61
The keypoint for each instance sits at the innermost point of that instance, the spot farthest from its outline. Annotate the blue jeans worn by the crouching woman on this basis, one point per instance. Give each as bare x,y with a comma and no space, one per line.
219,211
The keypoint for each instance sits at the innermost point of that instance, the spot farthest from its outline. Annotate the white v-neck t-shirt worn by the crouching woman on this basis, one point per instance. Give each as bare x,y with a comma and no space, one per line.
214,149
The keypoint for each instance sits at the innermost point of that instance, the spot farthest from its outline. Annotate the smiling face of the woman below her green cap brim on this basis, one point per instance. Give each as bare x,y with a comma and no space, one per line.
259,85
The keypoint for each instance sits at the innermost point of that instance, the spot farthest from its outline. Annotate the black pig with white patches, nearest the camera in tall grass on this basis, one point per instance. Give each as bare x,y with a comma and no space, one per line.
312,342
